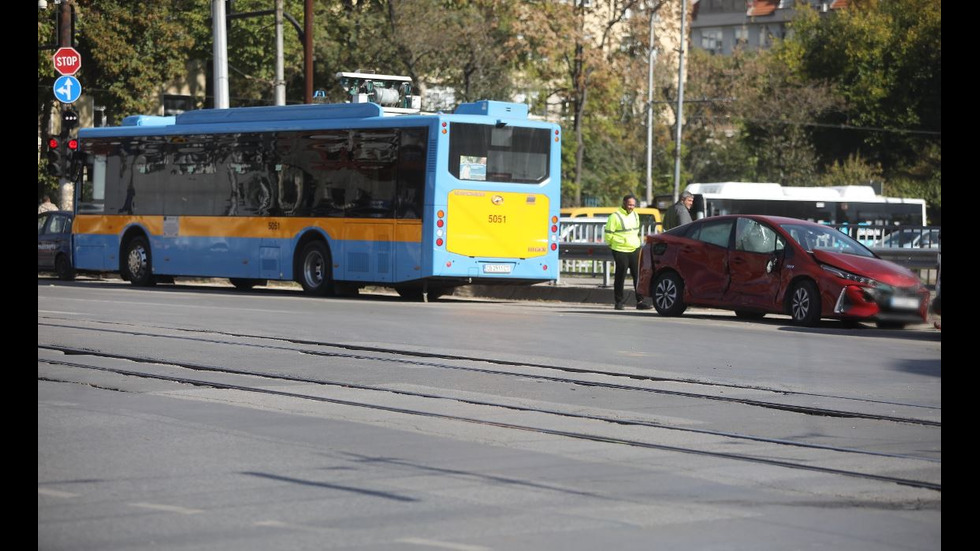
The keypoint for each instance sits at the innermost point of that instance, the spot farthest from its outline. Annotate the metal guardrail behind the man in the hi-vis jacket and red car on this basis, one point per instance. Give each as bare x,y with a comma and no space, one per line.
584,253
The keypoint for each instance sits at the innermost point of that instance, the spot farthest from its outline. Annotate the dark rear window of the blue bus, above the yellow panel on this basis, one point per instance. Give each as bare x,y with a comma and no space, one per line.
499,154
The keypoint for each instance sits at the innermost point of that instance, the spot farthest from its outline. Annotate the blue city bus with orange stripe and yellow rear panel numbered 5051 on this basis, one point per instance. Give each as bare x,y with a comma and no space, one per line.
331,196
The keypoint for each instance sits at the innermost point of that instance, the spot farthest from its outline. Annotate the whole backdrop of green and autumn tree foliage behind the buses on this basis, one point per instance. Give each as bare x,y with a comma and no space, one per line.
848,96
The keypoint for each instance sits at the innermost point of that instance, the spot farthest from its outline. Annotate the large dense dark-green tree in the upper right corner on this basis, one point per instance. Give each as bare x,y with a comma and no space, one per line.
884,59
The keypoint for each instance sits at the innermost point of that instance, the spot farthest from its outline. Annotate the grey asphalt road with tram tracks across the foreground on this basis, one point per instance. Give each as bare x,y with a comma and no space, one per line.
197,417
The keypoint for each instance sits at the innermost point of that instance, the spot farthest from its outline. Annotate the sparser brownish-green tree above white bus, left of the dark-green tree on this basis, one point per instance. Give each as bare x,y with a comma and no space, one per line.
754,119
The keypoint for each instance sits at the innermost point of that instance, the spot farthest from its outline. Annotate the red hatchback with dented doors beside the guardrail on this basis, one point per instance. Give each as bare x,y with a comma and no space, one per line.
758,265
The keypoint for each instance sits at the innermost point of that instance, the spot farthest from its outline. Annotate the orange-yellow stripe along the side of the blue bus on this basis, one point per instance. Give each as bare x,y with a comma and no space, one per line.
359,229
